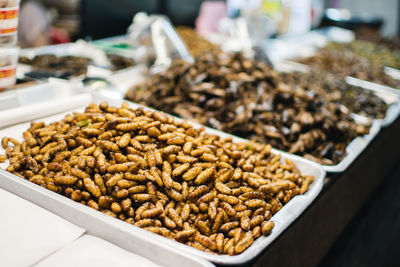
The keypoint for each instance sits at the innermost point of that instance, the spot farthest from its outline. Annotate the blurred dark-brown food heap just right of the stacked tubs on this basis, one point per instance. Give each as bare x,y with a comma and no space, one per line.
72,65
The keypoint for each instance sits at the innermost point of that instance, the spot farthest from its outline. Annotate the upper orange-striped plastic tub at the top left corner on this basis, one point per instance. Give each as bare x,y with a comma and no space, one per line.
9,12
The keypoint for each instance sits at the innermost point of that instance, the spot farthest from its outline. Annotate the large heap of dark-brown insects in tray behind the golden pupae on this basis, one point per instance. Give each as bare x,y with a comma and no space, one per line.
246,98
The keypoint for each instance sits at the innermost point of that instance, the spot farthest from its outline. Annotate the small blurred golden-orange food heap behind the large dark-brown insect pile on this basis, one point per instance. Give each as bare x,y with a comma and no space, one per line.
195,42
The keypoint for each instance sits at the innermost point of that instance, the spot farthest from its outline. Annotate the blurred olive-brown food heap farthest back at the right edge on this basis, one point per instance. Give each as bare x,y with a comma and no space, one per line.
345,62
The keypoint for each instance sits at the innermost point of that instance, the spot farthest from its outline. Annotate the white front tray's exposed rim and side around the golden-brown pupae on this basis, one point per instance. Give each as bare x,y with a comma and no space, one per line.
139,240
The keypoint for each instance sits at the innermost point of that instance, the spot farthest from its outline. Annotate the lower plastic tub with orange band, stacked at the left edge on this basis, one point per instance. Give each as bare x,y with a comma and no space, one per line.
8,66
